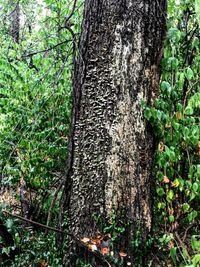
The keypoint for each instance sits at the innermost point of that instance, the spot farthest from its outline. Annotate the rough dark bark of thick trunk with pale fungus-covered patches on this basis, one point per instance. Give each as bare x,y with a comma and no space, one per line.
111,145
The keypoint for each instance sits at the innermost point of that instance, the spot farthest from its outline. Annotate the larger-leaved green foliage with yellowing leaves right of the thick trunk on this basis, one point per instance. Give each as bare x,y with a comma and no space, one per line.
175,120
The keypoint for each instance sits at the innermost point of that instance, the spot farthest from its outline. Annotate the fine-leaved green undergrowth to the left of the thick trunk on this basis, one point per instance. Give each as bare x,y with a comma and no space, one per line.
35,105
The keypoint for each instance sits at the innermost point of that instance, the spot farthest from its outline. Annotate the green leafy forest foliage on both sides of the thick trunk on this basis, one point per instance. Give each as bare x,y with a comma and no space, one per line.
35,105
